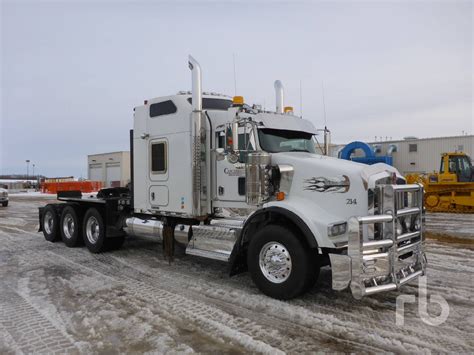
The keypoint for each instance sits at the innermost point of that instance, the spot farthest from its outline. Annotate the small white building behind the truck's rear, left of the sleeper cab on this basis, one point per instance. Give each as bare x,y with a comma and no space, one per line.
112,169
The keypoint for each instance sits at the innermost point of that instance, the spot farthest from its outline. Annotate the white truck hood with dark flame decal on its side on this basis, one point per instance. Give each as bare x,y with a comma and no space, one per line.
324,190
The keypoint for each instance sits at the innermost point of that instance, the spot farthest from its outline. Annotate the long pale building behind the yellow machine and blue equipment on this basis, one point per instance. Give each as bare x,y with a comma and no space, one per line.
418,155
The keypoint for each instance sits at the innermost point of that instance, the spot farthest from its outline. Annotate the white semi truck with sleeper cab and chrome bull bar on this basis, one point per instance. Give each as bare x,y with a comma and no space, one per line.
236,183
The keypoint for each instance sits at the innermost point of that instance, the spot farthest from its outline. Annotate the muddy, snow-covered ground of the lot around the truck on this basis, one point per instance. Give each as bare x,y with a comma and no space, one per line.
58,299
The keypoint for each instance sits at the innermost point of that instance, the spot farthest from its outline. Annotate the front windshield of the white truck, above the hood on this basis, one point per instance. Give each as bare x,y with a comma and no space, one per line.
276,140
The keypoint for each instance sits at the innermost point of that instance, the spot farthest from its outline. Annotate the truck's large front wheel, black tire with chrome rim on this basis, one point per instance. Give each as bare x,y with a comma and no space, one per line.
301,265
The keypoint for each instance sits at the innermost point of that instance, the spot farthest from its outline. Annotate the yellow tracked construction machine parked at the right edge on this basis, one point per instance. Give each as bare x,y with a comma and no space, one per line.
452,188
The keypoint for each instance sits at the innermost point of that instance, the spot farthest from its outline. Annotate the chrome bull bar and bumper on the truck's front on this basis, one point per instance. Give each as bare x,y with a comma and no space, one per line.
391,257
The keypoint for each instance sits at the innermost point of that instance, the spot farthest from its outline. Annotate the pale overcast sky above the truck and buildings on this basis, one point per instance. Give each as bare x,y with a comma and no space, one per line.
73,71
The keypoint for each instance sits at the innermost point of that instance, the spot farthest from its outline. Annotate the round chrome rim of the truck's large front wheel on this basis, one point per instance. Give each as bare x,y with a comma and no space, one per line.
275,262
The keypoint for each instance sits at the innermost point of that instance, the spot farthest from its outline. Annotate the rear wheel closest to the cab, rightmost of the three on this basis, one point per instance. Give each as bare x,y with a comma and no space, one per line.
93,231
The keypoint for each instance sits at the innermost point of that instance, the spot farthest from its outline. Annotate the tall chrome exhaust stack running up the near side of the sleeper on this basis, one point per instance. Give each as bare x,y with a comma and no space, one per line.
196,137
